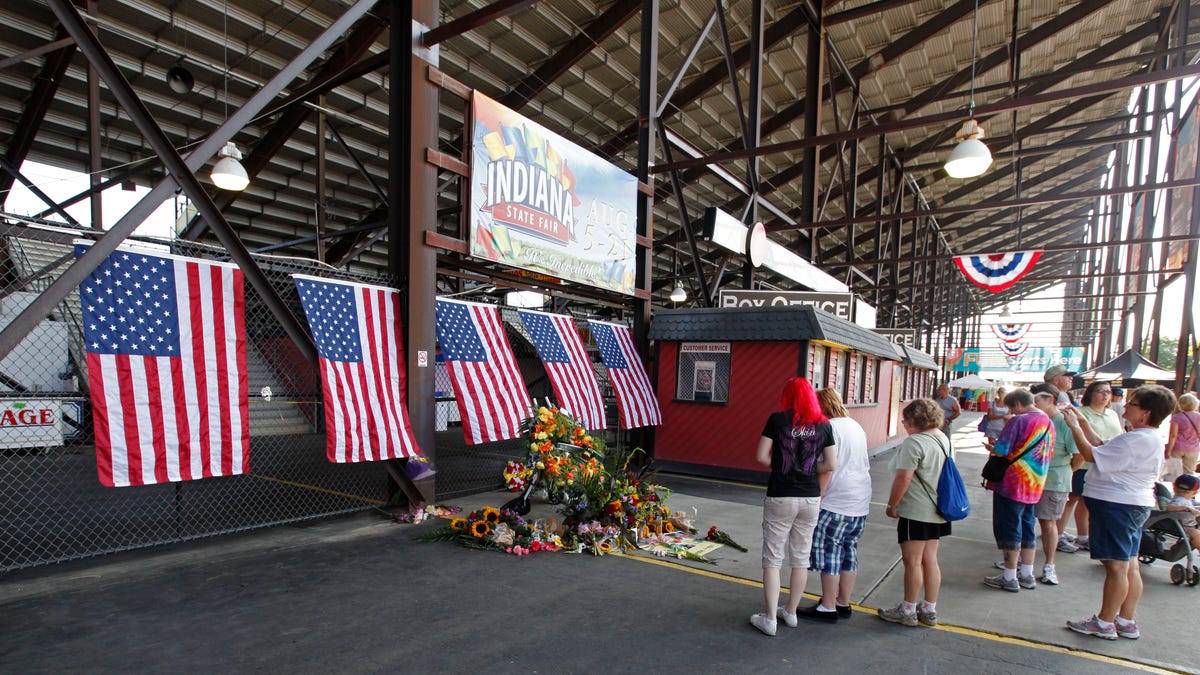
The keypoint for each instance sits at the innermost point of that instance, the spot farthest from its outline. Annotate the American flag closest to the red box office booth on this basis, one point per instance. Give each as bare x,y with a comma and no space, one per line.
635,397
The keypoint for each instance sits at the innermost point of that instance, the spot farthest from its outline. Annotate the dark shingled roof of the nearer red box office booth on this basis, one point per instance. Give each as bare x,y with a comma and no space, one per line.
767,325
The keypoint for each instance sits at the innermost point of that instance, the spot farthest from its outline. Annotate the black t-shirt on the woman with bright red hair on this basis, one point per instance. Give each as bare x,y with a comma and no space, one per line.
794,456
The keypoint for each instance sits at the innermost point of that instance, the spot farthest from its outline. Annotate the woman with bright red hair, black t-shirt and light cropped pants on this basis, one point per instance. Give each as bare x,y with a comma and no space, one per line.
797,445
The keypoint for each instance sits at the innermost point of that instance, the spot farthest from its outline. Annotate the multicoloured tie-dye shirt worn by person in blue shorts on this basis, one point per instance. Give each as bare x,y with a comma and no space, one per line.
1027,477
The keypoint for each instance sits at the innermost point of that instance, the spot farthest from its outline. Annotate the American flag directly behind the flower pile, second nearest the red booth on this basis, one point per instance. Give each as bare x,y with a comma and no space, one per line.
569,367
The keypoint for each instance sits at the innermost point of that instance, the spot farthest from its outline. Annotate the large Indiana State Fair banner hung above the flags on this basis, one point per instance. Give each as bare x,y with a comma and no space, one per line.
543,204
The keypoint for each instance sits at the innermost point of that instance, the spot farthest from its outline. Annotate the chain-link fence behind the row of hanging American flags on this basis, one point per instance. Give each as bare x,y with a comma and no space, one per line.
52,506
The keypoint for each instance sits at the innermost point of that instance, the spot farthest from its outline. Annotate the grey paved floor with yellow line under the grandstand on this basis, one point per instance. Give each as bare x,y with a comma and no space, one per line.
358,595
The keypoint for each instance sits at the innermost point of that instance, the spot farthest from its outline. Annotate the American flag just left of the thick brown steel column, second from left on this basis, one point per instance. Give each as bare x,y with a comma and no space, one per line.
361,355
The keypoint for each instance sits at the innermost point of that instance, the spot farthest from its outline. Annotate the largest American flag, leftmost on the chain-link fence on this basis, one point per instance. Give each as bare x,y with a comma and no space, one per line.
166,345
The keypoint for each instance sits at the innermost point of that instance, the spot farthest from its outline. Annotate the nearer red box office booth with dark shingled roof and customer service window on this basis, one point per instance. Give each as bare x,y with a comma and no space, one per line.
721,372
